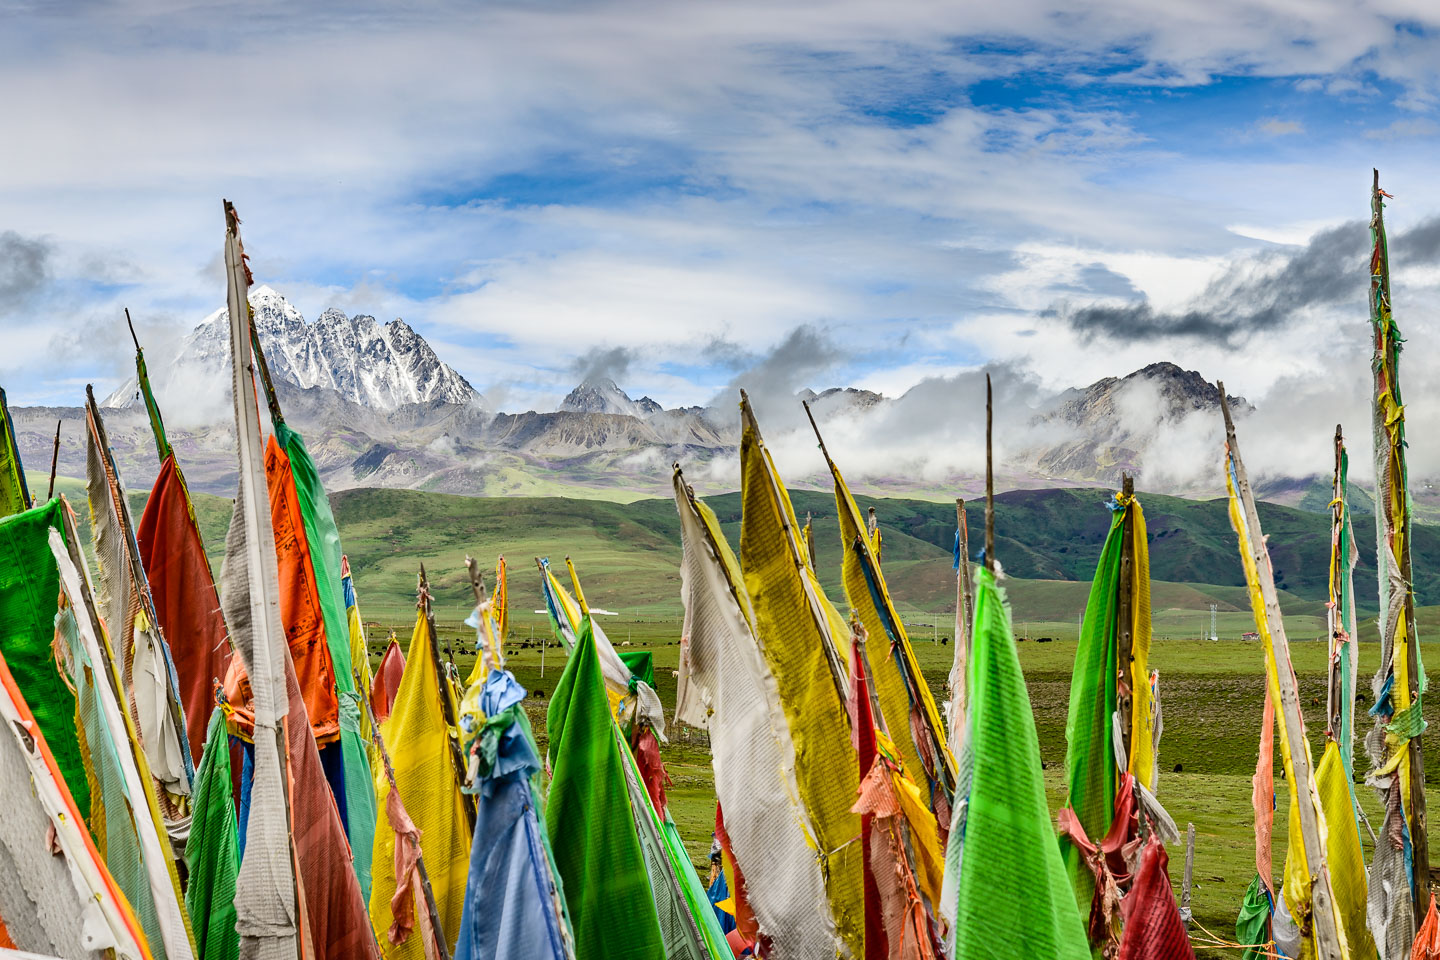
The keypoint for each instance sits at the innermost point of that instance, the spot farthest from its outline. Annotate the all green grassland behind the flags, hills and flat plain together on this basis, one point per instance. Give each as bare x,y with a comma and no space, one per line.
1049,542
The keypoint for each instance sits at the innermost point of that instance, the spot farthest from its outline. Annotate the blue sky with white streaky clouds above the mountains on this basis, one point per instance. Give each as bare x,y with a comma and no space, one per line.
679,189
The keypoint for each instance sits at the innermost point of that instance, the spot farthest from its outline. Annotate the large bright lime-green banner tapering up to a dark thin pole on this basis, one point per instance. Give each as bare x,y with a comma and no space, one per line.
1014,899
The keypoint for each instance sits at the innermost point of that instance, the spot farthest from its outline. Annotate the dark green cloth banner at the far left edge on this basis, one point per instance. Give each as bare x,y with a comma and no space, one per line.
30,598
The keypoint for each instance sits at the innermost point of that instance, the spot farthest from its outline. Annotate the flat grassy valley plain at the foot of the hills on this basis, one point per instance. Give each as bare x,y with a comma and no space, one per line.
1212,693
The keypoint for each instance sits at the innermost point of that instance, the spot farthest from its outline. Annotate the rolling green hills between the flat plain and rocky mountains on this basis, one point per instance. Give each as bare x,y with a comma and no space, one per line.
629,553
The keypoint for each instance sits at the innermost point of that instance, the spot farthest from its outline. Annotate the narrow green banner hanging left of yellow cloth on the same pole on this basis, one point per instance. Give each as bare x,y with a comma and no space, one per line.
1091,775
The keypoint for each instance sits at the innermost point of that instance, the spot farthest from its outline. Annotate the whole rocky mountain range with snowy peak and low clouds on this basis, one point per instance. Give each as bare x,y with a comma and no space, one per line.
379,408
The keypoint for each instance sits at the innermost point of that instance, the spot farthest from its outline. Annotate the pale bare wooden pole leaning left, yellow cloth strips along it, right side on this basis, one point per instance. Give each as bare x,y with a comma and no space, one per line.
1282,674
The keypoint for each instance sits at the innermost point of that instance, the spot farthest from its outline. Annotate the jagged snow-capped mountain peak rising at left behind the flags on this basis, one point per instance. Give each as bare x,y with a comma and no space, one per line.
377,366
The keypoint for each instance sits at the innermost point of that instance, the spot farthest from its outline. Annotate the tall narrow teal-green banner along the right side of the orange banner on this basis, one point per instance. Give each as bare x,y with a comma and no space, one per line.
323,539
